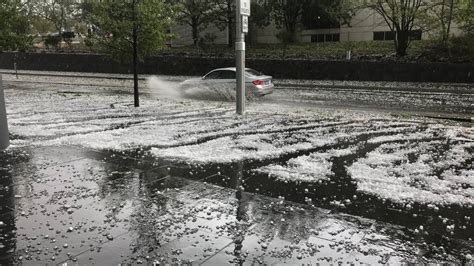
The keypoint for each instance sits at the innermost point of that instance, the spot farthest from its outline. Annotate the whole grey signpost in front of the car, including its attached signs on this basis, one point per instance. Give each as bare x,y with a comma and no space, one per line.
241,23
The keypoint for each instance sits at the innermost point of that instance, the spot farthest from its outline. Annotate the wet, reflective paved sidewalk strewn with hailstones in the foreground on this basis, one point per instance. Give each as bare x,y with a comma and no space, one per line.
77,206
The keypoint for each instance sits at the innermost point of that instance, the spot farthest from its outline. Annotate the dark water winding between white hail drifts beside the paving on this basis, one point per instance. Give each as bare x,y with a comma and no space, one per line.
340,192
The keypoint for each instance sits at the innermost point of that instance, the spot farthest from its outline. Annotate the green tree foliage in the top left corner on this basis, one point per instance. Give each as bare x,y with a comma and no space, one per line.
14,26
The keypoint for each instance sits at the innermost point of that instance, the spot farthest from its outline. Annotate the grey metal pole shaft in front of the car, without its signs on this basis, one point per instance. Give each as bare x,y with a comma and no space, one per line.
239,61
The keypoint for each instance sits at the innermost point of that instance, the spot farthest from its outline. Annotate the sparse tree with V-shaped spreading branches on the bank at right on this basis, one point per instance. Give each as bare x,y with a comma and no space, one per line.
400,16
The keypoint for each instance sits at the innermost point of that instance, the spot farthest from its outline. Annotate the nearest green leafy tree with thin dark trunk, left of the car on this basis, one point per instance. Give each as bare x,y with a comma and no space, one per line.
131,30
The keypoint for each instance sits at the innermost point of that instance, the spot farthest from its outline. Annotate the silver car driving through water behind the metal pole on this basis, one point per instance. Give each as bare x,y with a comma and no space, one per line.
256,83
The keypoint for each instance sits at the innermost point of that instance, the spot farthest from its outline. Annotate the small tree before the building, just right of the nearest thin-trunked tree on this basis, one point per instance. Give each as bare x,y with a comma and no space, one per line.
196,14
